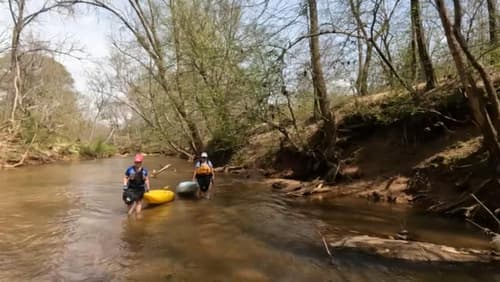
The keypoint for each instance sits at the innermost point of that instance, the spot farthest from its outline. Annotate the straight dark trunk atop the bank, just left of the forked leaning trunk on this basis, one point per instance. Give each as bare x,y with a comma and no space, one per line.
425,60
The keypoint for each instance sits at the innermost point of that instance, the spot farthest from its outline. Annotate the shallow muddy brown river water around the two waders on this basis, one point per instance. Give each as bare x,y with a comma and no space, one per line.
66,222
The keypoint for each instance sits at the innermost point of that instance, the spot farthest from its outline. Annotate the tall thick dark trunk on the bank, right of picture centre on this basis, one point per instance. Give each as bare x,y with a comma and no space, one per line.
318,77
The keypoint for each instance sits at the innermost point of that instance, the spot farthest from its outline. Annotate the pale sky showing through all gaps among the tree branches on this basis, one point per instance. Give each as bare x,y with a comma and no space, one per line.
90,28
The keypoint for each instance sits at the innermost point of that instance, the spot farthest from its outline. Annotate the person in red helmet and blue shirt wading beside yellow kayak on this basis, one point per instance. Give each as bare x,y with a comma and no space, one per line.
135,184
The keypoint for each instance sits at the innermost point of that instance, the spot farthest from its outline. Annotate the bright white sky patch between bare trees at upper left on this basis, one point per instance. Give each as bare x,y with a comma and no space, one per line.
88,31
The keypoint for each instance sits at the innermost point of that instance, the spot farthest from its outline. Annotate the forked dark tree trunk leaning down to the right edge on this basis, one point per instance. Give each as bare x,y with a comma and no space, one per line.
474,94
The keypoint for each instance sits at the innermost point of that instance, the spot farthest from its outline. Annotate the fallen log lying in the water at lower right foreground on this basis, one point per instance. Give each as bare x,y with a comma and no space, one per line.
411,250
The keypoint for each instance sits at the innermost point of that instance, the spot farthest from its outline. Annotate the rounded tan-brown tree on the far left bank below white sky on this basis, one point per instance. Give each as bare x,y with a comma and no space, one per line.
49,104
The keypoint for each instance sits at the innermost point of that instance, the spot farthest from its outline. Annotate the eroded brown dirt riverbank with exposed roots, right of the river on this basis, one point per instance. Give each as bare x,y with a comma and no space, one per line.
393,149
